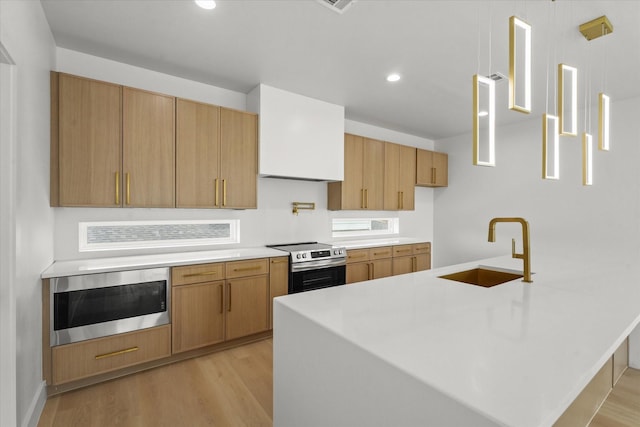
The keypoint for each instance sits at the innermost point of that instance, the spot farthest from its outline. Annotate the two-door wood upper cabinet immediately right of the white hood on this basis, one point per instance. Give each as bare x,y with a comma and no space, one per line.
363,183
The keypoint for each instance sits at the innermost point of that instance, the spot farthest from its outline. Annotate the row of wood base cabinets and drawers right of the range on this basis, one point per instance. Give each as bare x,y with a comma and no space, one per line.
384,261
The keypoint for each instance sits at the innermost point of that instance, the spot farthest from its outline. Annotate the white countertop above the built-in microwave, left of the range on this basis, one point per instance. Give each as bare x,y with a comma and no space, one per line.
102,265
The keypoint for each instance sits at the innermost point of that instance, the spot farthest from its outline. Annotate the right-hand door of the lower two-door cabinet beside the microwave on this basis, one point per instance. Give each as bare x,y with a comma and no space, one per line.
247,306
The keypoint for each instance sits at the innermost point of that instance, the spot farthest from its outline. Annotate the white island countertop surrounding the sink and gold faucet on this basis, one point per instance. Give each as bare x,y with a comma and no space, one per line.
517,353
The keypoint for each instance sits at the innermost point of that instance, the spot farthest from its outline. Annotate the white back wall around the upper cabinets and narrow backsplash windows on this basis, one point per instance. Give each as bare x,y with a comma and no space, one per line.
273,221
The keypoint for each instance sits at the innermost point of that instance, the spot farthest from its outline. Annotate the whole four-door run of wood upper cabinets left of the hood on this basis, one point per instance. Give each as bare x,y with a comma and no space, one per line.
114,146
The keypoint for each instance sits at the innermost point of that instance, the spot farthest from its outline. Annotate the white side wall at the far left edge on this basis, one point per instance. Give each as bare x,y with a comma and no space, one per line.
25,35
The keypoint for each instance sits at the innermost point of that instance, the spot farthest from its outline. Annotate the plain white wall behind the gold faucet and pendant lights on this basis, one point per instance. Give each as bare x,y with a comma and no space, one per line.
564,216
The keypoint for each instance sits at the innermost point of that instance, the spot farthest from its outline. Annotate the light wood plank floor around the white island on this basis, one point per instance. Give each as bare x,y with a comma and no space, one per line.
231,388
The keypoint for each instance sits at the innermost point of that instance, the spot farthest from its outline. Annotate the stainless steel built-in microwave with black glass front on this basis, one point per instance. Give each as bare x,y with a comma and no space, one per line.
102,304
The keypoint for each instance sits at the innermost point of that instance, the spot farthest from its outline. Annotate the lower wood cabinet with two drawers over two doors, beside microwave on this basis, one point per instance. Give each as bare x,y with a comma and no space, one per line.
217,302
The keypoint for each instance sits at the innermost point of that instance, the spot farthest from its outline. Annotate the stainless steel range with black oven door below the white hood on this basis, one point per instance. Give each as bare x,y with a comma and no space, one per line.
314,265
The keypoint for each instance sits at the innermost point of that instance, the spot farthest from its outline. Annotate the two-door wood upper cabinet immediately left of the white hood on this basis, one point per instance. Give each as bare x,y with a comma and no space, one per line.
216,157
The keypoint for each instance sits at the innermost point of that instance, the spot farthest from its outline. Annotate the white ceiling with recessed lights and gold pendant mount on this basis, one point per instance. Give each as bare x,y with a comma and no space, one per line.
302,47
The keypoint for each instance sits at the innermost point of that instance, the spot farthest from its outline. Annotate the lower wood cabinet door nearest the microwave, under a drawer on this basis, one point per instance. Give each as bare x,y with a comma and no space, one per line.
197,315
